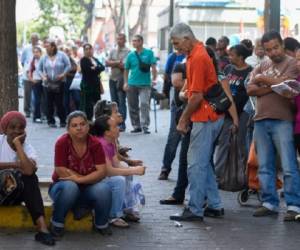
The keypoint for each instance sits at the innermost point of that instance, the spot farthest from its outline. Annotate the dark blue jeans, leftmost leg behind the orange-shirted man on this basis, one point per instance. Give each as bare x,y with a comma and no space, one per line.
173,140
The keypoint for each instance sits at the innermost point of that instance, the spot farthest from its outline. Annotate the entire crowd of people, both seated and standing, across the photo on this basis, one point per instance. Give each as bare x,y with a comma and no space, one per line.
91,173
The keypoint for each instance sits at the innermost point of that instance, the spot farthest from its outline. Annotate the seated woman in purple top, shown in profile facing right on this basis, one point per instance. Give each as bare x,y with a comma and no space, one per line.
106,128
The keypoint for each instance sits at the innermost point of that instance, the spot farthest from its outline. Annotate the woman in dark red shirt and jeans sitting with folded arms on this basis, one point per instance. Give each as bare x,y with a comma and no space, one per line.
77,178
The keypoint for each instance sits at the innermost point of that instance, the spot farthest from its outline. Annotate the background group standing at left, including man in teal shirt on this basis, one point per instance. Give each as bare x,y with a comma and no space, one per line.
60,78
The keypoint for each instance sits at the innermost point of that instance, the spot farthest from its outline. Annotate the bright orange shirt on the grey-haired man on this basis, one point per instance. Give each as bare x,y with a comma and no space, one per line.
201,75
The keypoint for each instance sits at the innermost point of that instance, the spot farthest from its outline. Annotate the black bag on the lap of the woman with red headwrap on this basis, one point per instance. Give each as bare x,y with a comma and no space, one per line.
11,186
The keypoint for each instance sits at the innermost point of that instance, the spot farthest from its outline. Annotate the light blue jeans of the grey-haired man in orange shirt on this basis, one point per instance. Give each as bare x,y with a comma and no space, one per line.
201,175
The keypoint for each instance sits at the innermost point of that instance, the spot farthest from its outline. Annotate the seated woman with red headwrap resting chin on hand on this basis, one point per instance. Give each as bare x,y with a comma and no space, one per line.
18,159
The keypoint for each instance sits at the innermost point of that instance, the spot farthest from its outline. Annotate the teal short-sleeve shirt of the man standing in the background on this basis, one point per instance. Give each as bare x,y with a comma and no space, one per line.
136,76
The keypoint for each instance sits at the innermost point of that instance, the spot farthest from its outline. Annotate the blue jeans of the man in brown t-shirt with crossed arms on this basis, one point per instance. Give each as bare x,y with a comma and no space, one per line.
271,136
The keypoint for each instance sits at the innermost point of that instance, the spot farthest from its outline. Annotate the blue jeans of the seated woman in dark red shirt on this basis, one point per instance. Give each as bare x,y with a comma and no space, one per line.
67,194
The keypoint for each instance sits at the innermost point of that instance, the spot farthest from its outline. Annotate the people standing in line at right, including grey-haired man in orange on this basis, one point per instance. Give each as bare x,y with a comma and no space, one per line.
257,115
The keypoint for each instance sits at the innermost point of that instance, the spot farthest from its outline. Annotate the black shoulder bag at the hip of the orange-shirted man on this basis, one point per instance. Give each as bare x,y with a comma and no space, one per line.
218,99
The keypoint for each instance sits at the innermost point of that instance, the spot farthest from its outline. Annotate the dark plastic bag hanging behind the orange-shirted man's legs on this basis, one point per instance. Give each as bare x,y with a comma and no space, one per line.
233,175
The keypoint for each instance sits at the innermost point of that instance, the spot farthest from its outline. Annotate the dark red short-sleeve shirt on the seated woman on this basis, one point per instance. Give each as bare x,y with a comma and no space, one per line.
66,156
